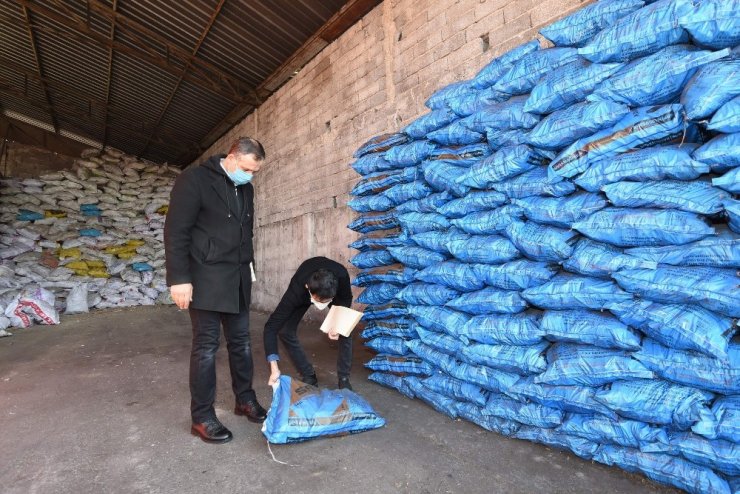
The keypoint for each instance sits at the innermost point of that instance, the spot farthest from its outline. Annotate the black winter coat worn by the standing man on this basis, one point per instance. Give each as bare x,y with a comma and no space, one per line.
208,237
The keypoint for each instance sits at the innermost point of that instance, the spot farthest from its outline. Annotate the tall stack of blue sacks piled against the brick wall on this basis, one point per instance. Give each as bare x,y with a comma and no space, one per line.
552,251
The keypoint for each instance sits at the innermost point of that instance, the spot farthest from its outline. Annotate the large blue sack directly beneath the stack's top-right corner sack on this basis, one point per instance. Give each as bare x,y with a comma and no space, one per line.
657,79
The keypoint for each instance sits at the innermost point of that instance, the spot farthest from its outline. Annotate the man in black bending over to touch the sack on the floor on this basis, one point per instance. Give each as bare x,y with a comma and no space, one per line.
321,282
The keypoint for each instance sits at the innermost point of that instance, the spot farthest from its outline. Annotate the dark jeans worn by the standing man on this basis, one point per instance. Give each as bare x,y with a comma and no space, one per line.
206,334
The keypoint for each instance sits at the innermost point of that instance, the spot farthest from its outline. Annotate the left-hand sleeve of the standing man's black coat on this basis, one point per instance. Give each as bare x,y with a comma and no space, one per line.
181,217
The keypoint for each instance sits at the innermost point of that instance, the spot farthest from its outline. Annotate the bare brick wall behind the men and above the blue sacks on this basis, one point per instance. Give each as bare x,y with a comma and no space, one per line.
373,79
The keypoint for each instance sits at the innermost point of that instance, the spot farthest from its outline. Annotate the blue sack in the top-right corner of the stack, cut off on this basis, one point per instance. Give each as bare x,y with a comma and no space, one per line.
713,23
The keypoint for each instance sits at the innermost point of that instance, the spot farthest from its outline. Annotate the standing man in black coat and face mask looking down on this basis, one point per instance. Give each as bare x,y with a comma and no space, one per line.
209,254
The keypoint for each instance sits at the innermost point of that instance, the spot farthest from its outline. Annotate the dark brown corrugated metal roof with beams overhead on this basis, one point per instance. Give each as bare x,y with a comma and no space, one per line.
160,80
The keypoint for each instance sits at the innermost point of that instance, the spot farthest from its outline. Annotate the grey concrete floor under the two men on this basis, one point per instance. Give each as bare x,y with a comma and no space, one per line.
100,404
